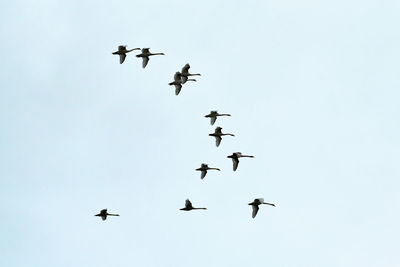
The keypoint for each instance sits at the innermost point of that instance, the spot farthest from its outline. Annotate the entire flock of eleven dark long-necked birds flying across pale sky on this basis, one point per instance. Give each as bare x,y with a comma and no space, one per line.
181,78
